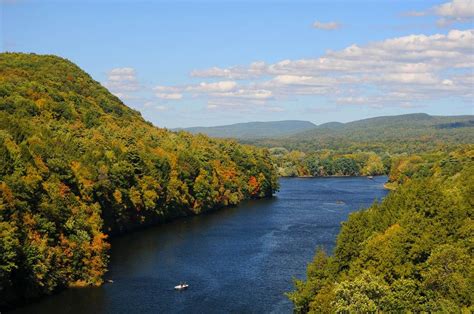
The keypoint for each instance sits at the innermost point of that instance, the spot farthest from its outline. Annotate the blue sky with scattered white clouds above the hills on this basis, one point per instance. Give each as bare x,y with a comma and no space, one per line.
205,63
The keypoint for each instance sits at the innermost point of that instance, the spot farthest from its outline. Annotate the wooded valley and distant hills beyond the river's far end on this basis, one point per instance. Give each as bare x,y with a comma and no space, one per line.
364,147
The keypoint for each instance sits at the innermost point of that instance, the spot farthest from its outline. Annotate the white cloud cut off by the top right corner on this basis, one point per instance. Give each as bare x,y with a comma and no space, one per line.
453,11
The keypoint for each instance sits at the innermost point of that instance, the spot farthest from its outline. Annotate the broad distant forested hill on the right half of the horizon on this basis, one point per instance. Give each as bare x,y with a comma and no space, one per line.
396,134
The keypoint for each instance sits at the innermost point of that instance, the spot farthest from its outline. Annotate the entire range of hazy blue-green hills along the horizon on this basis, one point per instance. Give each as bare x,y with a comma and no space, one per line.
366,129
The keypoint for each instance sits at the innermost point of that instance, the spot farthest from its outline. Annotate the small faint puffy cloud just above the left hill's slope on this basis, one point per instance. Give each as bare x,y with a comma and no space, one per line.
122,82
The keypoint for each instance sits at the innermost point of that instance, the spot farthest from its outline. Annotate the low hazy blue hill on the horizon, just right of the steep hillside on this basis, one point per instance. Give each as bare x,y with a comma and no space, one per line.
255,130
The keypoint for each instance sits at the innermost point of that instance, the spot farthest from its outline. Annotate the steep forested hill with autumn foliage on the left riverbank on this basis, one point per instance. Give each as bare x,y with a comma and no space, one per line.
76,164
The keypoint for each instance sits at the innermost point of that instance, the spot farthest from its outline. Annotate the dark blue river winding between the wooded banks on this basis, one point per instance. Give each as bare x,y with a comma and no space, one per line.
236,260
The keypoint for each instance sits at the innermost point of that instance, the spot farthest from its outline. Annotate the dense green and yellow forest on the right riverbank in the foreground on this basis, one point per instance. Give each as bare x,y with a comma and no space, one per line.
412,252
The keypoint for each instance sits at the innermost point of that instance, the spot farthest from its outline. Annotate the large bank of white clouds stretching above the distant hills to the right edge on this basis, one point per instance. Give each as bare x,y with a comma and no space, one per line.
396,71
